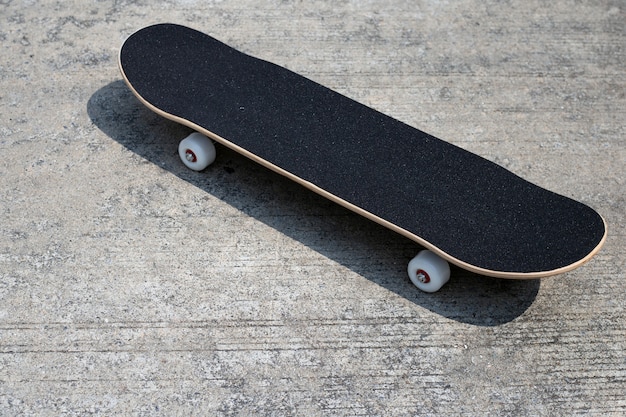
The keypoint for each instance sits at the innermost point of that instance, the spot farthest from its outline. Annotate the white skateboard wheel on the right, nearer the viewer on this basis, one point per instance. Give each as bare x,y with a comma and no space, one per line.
428,272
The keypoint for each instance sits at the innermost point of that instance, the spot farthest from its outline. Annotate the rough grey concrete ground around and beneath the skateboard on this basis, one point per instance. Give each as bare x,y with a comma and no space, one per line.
132,286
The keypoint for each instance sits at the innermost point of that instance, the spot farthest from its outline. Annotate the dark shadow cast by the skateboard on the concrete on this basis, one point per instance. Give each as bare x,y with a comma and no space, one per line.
361,245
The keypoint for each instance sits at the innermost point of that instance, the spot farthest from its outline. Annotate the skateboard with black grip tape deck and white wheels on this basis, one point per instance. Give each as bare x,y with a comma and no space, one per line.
462,208
